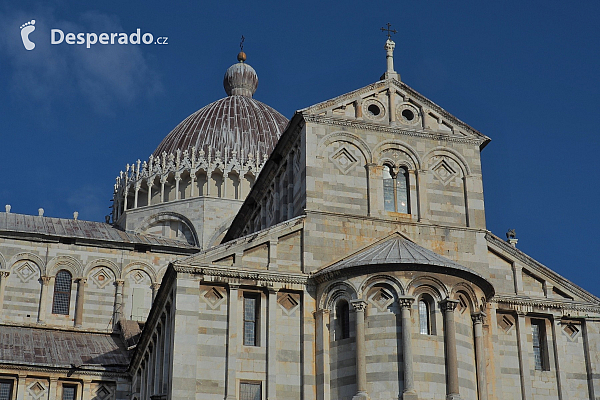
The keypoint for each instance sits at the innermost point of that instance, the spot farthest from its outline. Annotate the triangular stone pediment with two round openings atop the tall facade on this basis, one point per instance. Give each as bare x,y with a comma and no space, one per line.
393,103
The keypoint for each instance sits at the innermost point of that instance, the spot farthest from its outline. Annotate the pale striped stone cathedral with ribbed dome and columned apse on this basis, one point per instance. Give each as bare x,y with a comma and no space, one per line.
338,255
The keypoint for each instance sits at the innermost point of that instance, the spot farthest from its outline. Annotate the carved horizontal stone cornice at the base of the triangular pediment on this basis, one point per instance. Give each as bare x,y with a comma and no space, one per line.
373,126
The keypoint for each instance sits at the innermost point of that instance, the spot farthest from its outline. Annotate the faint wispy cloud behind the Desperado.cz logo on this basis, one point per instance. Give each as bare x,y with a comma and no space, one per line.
104,76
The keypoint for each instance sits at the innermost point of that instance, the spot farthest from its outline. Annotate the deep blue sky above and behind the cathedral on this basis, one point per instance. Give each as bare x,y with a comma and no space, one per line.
522,73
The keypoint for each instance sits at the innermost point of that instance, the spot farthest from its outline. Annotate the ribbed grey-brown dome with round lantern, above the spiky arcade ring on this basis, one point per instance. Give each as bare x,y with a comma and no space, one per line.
235,123
